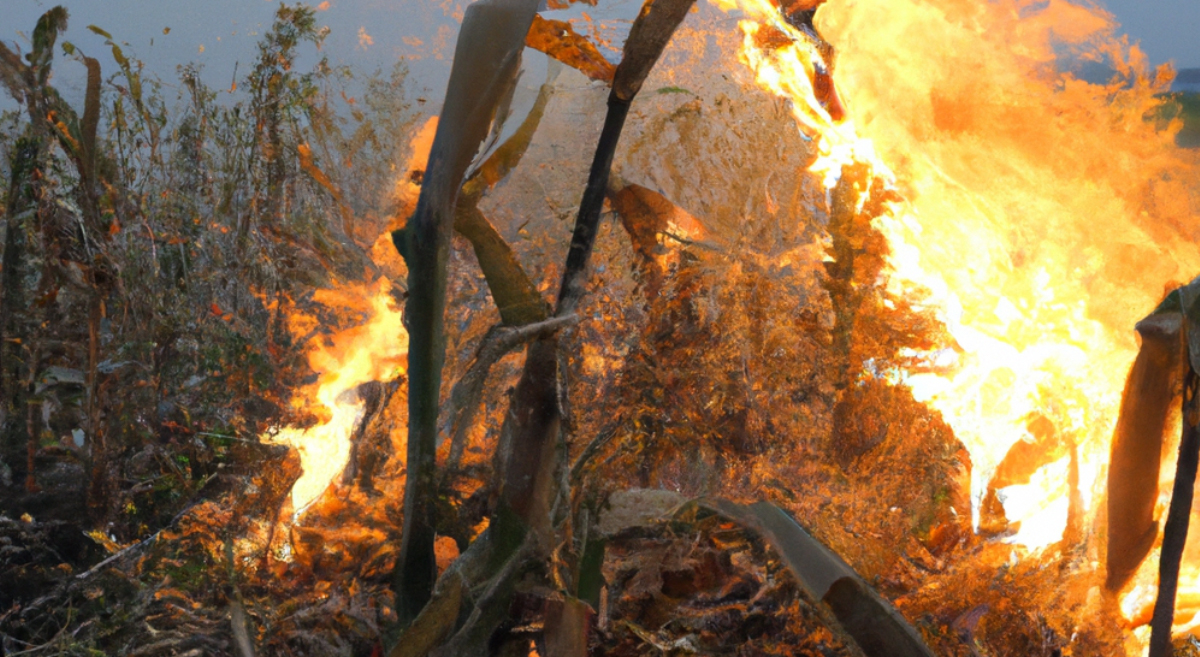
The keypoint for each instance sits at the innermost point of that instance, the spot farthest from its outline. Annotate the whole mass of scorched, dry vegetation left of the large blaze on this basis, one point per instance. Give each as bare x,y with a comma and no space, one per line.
715,328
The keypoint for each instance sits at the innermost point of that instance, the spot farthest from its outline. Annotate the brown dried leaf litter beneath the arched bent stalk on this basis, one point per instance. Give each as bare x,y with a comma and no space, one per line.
707,587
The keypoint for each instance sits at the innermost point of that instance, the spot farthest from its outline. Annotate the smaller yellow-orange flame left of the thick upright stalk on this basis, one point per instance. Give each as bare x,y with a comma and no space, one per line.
373,352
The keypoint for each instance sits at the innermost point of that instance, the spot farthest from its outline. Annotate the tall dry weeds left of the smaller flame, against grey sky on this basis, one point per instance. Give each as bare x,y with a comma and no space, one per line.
159,258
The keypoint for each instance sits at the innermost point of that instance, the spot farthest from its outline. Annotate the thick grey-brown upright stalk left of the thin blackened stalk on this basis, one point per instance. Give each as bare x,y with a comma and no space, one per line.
487,61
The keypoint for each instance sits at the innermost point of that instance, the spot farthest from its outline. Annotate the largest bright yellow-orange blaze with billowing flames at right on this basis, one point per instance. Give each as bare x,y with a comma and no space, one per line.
1045,214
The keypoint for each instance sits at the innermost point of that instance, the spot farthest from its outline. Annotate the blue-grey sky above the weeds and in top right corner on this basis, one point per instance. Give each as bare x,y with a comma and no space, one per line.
373,34
